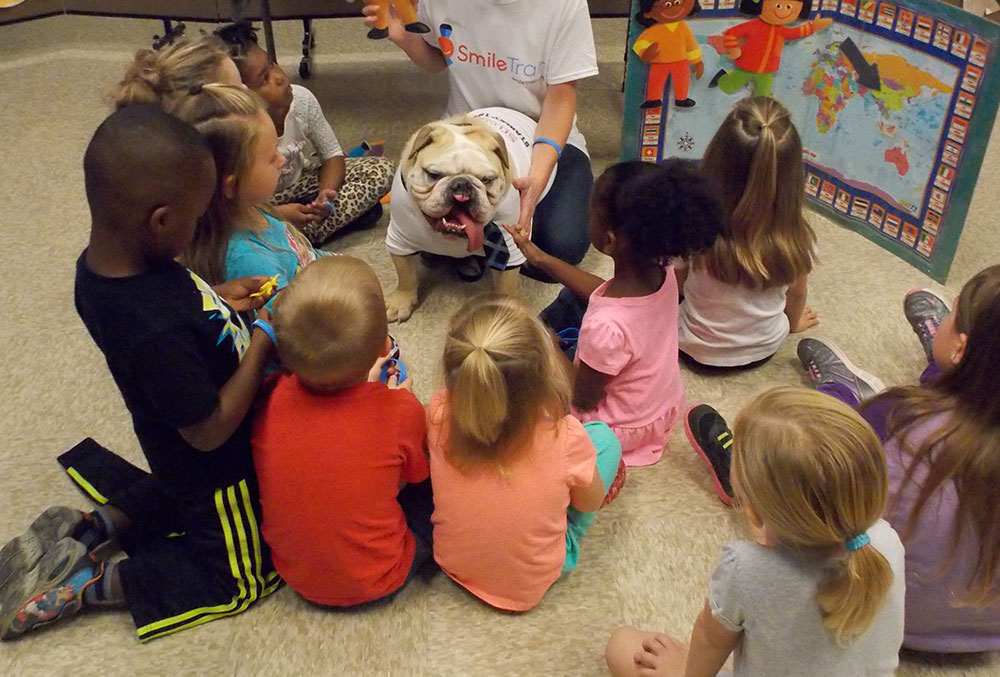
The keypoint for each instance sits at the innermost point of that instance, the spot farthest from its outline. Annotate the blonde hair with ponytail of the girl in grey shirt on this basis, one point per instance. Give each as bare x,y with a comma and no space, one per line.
814,472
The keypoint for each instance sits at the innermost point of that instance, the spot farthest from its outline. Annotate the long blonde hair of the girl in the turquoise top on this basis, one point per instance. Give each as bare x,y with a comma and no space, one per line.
231,118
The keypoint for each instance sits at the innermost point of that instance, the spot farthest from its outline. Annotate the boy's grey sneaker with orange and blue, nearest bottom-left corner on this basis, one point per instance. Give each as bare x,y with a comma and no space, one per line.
52,590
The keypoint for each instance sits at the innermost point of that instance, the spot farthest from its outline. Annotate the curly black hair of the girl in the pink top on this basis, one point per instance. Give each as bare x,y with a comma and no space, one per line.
661,211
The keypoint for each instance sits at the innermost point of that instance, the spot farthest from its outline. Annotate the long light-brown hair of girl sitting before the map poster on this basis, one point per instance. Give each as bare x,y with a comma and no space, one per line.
756,159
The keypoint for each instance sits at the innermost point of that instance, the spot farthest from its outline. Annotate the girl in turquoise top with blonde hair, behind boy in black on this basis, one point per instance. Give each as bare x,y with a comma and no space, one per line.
236,236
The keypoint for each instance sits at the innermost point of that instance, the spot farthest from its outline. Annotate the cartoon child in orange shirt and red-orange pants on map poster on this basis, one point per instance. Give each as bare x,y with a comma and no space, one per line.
669,47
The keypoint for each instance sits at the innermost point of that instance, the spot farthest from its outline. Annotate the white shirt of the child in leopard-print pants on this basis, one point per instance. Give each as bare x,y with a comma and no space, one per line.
306,129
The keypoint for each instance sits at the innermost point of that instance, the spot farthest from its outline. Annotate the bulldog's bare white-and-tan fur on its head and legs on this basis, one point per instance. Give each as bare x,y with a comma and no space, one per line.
460,152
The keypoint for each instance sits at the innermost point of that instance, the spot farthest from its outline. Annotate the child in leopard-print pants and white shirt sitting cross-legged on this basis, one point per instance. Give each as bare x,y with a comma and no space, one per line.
320,193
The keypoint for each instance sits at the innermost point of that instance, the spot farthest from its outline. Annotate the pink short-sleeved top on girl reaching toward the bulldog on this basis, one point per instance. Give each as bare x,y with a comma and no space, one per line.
634,340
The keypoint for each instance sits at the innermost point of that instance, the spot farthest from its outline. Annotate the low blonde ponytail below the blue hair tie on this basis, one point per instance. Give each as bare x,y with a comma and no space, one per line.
852,596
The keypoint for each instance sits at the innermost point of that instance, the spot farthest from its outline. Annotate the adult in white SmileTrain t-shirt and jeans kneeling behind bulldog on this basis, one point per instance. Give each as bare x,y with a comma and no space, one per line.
525,55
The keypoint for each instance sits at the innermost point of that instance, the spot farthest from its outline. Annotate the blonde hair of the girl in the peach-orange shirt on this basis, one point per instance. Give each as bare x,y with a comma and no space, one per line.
503,378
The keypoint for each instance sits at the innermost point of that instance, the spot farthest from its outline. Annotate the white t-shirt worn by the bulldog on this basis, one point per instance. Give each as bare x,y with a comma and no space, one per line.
416,235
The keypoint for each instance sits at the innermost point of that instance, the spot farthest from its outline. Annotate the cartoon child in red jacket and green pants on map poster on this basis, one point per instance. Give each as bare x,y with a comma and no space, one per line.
755,46
